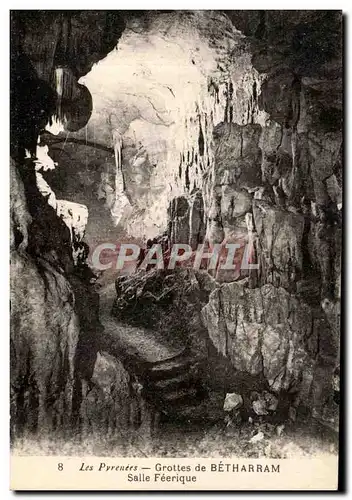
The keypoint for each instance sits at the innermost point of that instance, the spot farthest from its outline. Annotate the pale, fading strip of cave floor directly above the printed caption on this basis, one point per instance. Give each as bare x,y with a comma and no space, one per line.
277,442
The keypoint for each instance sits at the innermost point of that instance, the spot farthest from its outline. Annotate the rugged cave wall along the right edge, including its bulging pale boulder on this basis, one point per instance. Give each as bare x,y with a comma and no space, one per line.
296,214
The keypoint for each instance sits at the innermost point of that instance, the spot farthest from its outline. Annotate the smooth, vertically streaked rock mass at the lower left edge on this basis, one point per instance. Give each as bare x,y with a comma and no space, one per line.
44,332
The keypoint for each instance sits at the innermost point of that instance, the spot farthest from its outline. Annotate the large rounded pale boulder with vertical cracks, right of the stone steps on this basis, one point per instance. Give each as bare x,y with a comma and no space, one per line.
263,330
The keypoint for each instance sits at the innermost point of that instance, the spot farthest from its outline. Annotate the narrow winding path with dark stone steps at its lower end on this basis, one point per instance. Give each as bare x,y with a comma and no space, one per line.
170,375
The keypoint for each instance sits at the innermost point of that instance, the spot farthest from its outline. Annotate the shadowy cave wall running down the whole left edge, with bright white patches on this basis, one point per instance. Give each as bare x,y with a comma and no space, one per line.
49,294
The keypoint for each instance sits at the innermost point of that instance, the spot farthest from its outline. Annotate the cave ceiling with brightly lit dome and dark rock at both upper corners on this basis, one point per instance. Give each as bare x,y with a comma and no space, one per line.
126,58
